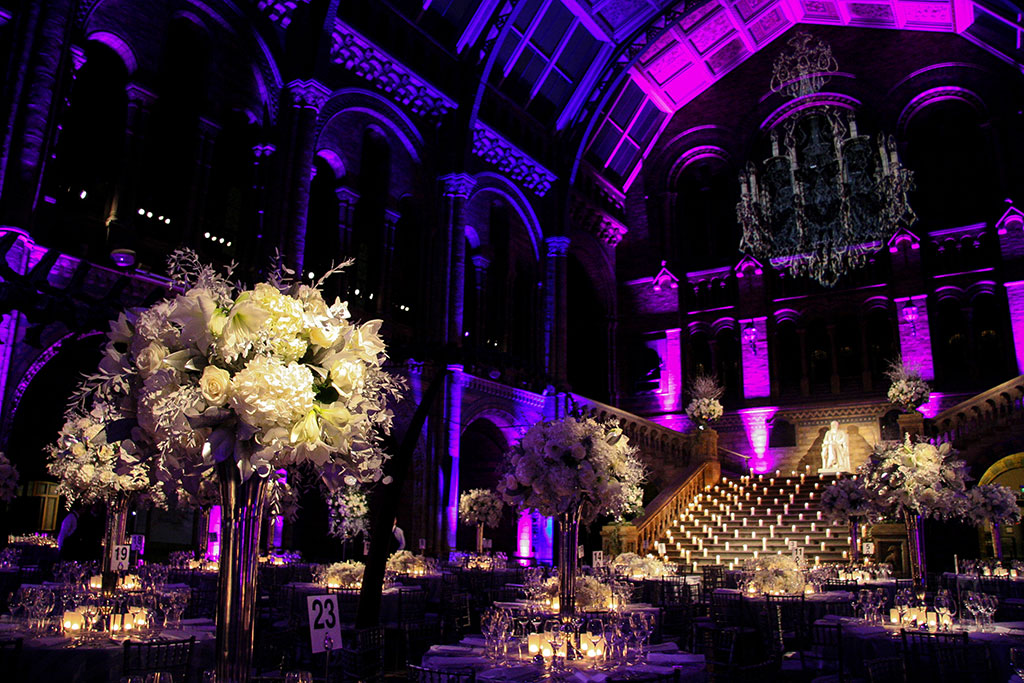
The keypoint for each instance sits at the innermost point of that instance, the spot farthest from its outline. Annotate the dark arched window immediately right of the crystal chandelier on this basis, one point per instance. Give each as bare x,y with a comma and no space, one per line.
948,151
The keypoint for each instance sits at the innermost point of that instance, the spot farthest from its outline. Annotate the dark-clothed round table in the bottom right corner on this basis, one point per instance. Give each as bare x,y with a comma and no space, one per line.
869,642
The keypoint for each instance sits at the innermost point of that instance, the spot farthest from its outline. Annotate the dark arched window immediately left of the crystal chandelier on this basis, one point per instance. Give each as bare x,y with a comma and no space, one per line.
706,215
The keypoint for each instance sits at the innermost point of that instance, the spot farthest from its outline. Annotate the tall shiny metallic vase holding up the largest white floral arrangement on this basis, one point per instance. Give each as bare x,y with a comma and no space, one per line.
241,520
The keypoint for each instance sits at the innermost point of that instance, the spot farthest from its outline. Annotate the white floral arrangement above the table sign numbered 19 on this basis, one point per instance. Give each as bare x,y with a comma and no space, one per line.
91,467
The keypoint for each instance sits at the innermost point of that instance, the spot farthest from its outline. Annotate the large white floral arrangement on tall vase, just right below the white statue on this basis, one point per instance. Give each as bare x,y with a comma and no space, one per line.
919,479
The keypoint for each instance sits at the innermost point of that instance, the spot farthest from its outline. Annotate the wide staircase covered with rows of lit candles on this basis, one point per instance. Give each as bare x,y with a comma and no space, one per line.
743,519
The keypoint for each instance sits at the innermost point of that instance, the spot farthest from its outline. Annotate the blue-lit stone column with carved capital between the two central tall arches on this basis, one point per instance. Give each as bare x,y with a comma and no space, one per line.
456,189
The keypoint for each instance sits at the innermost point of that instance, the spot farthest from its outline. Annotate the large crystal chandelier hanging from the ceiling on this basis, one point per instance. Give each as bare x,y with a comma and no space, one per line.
828,197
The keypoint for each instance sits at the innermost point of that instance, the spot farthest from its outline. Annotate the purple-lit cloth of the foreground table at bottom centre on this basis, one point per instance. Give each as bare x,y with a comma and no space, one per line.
468,656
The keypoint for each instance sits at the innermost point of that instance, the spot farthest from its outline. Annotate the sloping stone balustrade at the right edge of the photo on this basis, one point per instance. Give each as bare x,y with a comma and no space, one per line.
1001,406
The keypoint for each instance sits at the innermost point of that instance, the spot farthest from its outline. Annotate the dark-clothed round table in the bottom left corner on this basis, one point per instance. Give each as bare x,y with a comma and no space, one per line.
55,658
